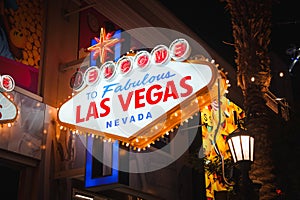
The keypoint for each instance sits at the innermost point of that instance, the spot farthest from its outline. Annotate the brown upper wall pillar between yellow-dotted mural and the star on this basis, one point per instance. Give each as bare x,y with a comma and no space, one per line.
60,47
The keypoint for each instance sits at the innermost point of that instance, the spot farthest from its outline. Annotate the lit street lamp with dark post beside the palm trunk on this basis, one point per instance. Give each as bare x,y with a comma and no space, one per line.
241,146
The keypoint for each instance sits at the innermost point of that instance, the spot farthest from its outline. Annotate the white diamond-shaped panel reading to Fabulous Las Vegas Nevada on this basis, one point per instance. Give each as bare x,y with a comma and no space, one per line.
126,104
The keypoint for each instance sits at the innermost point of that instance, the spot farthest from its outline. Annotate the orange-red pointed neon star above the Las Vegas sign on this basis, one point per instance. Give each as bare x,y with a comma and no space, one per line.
103,45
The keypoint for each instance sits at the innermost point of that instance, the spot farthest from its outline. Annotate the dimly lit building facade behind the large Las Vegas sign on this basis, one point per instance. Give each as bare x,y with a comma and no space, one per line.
47,160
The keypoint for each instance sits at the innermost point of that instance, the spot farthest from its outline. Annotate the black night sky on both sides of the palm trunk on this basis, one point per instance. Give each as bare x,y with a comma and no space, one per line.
212,22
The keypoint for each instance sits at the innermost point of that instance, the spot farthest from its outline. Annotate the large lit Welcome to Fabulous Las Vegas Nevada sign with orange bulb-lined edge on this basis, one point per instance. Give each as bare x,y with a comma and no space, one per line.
141,96
